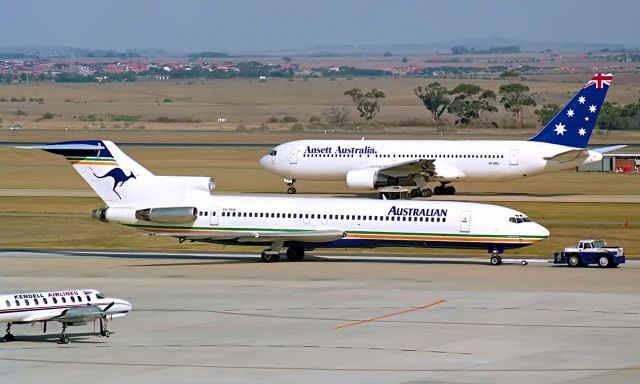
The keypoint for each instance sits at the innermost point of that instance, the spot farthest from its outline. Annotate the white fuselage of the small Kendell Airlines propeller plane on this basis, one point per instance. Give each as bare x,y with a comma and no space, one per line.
44,306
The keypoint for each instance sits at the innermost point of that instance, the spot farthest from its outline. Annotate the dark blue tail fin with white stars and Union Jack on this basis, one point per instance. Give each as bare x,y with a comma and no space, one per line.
572,126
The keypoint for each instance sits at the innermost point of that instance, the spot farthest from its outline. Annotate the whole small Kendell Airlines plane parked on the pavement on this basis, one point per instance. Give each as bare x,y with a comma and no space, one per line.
72,307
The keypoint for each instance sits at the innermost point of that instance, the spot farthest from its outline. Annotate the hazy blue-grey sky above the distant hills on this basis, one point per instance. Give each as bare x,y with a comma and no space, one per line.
235,26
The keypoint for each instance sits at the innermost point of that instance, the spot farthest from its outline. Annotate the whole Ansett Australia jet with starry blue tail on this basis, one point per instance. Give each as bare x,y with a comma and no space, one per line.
391,165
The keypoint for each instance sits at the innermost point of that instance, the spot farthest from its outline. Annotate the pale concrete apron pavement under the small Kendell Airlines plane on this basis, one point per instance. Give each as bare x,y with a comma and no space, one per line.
229,318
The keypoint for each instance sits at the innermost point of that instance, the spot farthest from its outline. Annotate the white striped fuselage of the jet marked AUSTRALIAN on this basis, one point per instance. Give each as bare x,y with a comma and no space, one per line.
365,223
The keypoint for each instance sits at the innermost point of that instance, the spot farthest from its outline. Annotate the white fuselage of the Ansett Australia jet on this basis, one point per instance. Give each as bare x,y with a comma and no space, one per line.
471,160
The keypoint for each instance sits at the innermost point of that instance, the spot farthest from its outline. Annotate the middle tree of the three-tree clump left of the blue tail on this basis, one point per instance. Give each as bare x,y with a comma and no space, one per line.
470,101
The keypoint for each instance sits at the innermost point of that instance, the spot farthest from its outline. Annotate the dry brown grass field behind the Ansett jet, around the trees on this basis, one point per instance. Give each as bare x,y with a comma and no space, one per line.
251,103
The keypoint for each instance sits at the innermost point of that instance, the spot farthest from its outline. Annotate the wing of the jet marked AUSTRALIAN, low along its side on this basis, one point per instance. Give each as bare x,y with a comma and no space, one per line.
311,236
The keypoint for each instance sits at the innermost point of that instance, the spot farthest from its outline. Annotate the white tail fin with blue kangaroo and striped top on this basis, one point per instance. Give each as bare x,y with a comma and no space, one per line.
107,169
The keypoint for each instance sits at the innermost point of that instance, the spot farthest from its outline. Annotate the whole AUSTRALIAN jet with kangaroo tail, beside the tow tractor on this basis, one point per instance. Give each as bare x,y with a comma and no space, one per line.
186,208
